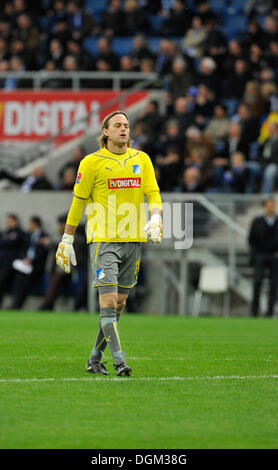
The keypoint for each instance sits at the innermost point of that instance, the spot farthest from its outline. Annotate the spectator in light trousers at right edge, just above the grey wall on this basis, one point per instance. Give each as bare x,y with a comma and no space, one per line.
269,159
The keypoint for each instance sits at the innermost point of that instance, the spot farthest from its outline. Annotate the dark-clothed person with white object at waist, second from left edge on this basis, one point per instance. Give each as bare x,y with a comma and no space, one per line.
31,267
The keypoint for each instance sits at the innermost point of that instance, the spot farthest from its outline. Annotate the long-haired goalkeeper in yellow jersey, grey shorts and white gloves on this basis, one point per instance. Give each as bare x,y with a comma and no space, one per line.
112,184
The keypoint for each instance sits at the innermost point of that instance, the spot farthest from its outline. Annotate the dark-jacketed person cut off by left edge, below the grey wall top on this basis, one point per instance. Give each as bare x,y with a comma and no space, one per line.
11,247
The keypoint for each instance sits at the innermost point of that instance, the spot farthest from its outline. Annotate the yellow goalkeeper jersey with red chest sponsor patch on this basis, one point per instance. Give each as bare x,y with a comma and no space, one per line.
114,188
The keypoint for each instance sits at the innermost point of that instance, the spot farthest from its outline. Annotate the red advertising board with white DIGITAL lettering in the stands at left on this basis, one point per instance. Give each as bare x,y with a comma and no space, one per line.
37,115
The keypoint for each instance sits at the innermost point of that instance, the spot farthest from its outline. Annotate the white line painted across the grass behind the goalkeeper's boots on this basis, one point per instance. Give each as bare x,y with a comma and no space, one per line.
125,379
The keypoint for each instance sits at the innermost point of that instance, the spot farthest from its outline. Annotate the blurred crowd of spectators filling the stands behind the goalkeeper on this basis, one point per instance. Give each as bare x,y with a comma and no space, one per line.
220,132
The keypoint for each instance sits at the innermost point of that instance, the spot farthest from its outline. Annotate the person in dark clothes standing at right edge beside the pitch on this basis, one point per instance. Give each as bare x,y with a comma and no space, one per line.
263,242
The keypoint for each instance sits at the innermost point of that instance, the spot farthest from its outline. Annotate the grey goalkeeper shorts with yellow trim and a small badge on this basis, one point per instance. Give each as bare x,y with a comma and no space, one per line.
115,265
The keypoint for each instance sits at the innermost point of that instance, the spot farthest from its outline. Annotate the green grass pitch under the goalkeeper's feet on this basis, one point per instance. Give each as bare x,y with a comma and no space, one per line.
203,383
